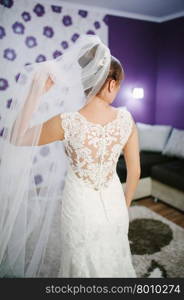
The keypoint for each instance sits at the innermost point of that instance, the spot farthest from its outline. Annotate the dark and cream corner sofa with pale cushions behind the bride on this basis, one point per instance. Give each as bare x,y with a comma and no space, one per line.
162,164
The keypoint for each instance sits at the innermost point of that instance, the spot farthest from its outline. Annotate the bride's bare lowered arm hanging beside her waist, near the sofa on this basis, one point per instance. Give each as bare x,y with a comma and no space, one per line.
132,160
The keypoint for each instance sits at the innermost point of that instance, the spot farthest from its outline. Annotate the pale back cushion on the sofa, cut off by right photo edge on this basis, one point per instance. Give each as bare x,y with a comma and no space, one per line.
175,144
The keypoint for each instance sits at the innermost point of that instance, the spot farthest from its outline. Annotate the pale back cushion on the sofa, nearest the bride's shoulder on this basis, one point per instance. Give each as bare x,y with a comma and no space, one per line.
153,137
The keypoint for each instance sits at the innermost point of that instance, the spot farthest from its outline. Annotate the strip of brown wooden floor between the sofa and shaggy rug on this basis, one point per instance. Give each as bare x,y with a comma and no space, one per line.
163,209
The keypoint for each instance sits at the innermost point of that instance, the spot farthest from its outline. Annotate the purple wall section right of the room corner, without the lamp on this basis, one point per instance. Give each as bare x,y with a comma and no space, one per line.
170,74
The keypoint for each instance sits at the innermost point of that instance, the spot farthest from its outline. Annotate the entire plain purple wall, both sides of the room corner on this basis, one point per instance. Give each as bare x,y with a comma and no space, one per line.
145,52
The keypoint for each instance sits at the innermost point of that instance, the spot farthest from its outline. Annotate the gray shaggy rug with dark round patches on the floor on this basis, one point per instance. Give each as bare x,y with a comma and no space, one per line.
157,244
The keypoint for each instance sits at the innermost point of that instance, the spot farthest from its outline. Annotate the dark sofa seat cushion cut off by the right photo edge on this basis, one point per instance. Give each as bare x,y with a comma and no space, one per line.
171,173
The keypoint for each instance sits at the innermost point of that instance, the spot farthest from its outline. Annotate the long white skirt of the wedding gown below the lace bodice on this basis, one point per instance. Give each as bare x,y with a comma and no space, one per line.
94,231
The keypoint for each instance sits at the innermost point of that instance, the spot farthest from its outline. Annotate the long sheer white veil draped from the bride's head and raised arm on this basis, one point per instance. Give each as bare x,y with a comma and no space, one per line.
29,202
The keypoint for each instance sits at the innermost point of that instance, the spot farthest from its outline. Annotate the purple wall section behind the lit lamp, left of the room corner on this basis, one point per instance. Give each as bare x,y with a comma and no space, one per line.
134,43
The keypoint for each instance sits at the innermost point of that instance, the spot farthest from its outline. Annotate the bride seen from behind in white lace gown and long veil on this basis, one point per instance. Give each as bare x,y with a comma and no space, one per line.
67,216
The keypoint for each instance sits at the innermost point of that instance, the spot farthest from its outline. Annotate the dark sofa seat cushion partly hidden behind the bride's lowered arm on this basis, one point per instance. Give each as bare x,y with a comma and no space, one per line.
147,159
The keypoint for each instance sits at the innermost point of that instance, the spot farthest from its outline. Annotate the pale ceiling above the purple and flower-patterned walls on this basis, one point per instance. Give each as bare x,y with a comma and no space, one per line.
153,10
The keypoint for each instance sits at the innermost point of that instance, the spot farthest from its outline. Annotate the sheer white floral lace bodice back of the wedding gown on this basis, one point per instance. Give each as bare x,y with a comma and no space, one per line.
93,149
